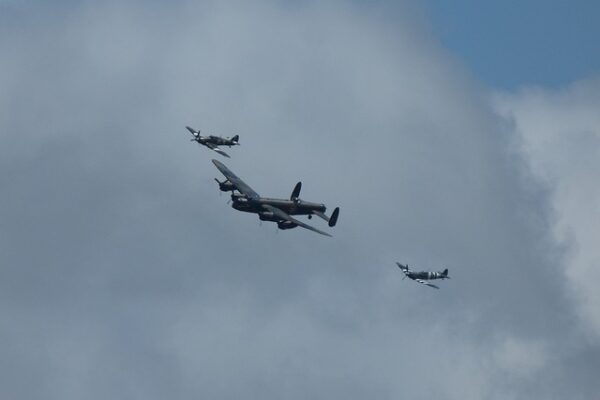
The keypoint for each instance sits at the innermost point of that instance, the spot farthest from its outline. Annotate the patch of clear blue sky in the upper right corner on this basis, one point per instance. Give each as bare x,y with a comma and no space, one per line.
513,43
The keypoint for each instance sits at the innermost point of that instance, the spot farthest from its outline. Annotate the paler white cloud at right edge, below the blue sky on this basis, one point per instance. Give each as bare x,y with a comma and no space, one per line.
560,134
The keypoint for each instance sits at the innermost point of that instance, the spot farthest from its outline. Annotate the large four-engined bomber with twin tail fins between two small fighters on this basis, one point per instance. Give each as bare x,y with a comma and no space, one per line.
275,210
